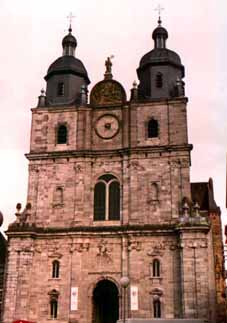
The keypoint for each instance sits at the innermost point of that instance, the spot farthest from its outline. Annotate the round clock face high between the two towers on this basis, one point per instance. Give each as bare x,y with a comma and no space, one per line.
107,126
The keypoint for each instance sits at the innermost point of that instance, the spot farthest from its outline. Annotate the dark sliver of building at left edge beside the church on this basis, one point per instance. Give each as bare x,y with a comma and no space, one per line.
3,249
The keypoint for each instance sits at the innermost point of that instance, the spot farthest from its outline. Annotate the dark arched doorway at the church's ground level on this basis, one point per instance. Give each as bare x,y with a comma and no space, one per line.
105,302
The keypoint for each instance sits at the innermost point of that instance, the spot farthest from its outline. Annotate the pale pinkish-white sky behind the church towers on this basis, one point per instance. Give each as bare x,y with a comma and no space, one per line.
31,33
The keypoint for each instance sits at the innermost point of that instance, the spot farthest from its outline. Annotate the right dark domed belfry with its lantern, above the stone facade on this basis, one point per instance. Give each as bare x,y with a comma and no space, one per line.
160,71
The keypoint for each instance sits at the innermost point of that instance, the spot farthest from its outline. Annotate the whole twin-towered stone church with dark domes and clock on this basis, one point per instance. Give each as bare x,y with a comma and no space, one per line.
109,196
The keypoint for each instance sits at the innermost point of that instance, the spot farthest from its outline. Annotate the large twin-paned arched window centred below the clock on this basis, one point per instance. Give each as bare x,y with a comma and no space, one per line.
107,198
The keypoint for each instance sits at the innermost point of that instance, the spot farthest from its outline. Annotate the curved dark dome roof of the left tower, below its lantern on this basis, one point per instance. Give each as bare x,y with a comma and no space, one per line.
65,65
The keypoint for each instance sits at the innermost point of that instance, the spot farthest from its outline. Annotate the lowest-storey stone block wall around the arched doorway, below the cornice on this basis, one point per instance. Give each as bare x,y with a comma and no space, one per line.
85,259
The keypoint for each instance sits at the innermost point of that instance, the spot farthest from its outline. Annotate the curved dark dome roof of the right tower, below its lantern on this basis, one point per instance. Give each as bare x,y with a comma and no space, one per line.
160,56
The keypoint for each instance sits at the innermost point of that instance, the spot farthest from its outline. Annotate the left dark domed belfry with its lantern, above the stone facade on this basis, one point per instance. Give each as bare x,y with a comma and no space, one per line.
66,76
